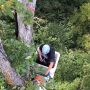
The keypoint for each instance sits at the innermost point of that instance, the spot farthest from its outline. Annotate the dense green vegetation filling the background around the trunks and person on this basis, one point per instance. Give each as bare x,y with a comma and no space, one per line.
64,24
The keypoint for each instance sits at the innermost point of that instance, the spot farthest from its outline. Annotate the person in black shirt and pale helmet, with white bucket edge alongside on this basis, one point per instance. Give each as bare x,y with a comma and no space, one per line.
47,56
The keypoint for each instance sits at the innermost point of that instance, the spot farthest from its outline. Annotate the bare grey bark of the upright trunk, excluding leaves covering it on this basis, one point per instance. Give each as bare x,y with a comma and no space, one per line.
25,31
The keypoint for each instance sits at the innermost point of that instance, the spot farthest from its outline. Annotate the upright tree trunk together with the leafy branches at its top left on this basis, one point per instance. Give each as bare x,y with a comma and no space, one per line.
23,11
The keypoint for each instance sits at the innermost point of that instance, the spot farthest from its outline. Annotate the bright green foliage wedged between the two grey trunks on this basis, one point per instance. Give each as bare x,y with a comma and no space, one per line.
17,52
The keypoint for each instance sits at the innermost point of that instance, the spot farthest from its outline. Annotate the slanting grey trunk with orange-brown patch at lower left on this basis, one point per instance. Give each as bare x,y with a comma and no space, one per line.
9,73
